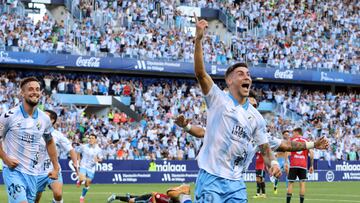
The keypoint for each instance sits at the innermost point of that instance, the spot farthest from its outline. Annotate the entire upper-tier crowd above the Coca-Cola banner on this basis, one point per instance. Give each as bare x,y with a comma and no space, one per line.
317,34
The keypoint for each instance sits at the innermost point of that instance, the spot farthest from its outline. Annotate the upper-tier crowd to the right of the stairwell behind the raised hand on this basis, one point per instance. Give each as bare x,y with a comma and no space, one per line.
314,34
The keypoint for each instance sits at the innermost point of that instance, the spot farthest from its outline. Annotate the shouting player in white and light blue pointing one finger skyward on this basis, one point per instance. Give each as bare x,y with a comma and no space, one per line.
234,130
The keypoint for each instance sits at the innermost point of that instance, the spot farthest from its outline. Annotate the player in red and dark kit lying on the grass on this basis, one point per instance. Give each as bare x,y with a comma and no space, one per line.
180,194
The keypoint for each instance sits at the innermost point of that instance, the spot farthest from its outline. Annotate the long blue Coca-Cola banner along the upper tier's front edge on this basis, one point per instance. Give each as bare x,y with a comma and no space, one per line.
175,67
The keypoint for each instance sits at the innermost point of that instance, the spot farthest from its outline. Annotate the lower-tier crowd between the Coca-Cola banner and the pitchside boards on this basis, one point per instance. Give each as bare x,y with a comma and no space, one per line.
158,101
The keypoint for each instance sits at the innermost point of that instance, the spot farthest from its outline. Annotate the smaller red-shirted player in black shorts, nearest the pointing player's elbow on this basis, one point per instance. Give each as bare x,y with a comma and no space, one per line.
260,176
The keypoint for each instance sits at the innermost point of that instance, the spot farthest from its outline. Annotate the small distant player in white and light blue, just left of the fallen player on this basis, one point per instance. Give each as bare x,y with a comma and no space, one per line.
91,154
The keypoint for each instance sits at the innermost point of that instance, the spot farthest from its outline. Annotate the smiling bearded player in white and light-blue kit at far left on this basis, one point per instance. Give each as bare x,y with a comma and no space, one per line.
22,129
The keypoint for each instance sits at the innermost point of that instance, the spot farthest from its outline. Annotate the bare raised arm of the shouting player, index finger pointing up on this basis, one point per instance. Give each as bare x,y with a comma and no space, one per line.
200,72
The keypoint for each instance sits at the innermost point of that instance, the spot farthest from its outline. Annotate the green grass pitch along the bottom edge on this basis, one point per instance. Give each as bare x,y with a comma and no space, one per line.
317,192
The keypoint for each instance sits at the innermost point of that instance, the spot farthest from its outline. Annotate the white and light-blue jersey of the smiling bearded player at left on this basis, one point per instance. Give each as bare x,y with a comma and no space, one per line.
21,137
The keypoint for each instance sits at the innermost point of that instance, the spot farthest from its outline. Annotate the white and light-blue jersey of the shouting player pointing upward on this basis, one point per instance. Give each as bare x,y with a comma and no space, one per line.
232,135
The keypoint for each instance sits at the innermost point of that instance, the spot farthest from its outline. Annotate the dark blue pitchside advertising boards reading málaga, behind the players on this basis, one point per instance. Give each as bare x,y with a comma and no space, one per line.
116,171
